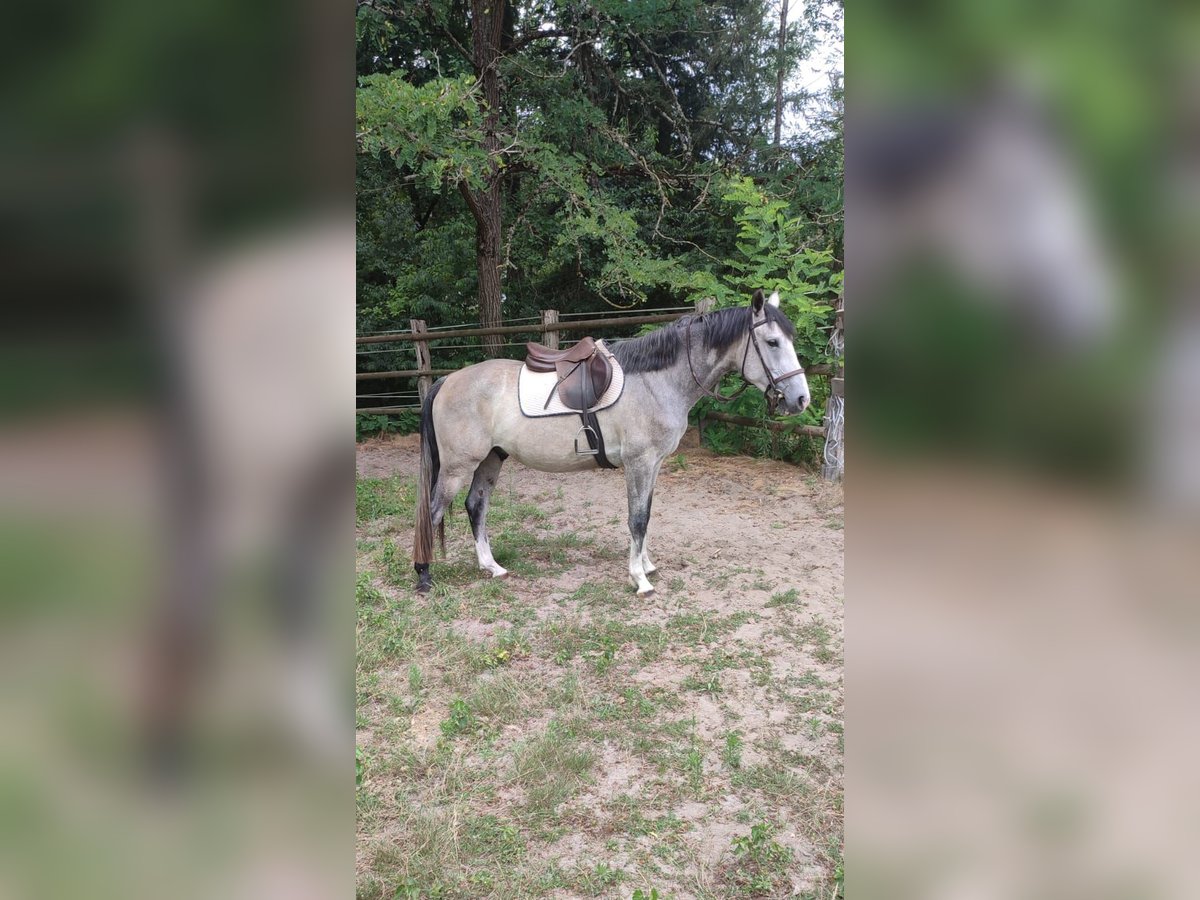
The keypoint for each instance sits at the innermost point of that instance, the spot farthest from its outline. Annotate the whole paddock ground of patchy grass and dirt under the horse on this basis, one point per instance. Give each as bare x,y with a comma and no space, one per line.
551,735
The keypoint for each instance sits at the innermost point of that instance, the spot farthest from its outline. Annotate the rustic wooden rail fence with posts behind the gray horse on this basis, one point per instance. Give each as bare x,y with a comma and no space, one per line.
549,328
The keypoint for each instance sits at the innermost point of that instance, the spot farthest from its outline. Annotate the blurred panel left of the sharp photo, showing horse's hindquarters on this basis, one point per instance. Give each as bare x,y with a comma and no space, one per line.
176,451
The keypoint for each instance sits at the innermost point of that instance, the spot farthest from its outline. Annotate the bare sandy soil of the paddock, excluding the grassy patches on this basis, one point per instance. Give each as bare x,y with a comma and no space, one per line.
728,536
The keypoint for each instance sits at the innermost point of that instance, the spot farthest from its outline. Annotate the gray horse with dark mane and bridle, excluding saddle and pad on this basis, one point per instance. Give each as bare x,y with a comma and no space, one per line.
471,423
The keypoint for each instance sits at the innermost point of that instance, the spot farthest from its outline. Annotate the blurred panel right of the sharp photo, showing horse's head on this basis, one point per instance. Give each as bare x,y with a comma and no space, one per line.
1024,443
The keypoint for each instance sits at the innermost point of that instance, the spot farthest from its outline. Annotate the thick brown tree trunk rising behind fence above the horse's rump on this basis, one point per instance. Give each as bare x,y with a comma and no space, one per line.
487,31
